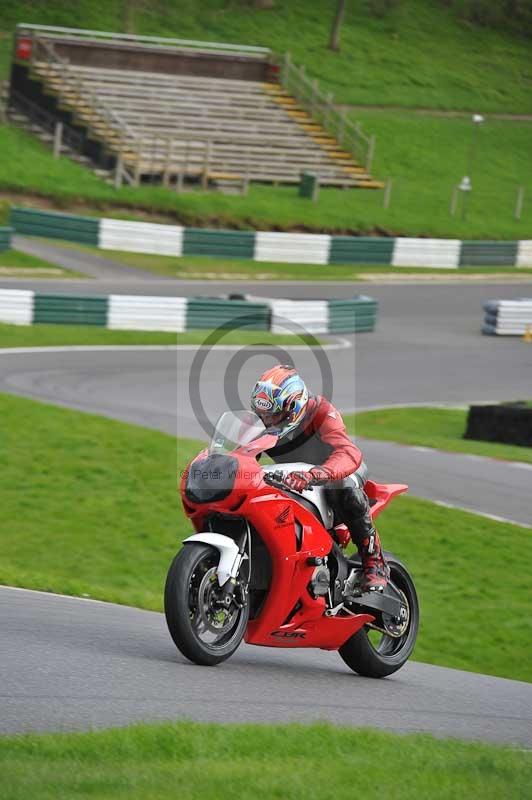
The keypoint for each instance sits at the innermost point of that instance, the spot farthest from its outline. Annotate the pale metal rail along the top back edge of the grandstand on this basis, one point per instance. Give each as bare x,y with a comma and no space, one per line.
82,34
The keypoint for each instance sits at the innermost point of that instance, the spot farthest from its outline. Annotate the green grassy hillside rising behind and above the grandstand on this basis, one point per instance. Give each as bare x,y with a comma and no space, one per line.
419,55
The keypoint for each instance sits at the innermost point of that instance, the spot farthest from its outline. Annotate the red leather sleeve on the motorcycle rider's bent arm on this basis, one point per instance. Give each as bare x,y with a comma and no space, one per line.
328,424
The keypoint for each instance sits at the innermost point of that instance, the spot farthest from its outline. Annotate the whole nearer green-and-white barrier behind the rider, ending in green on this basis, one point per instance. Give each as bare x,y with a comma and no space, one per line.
178,314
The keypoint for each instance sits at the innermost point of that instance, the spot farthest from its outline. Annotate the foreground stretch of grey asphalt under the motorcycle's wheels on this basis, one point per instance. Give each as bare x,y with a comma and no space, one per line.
74,664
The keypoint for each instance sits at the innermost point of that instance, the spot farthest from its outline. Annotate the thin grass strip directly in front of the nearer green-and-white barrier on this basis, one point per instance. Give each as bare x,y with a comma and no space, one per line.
43,335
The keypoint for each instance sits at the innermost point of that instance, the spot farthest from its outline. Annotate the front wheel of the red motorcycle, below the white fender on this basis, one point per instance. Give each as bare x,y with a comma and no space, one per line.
203,630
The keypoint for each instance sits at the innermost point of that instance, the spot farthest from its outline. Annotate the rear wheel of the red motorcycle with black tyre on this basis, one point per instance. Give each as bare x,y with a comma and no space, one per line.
379,659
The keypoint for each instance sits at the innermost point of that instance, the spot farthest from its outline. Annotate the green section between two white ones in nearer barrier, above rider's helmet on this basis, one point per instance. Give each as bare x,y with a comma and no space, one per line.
210,312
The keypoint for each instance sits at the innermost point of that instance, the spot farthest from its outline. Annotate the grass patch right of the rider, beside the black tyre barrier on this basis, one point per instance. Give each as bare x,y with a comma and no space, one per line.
441,428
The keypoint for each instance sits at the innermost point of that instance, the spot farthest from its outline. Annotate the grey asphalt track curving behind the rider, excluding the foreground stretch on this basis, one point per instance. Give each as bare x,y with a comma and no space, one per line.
427,348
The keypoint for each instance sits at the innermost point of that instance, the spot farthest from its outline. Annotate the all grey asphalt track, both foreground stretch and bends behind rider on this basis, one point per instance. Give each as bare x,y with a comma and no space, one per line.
72,664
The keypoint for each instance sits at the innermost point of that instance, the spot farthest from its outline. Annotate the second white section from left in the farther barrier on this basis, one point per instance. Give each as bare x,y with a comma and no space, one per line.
292,248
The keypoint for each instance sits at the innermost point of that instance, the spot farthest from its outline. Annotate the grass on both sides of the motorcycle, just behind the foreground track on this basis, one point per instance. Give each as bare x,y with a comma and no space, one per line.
90,507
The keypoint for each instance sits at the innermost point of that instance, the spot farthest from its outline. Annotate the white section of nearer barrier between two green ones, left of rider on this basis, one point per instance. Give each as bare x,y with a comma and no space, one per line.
134,312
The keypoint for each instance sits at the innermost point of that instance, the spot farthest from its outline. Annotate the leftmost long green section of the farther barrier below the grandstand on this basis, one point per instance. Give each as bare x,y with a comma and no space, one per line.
69,227
